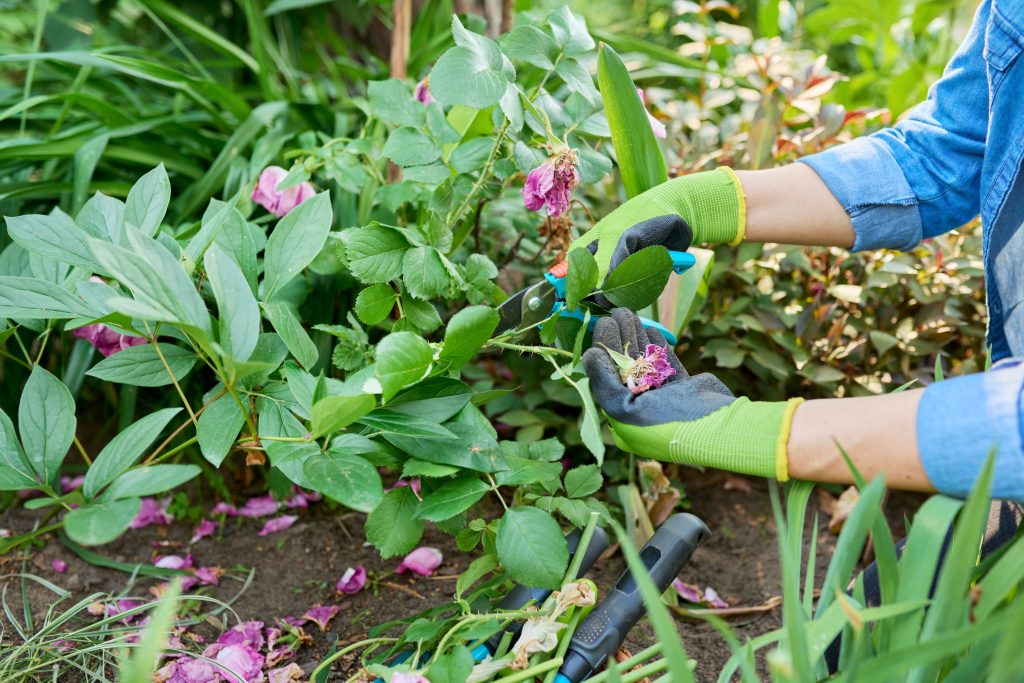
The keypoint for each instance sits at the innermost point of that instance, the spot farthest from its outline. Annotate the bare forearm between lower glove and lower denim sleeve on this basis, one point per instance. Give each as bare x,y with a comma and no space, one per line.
879,434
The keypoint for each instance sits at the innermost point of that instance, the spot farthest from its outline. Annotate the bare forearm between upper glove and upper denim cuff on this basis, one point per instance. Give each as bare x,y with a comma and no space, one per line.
792,205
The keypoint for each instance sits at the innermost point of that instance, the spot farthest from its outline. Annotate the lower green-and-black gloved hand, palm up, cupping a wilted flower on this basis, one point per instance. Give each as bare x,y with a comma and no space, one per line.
695,420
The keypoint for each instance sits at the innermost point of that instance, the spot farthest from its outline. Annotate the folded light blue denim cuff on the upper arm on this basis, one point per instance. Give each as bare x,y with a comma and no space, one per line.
865,178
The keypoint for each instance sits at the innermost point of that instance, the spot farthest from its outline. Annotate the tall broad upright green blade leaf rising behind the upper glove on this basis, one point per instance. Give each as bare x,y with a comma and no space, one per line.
641,160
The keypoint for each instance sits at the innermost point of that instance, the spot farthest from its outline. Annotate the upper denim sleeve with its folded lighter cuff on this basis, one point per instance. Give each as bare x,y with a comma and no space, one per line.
923,177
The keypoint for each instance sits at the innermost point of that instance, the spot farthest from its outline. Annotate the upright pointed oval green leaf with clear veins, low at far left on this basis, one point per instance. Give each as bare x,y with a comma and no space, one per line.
47,423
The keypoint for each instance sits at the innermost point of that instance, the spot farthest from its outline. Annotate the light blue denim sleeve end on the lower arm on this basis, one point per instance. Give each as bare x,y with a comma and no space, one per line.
962,421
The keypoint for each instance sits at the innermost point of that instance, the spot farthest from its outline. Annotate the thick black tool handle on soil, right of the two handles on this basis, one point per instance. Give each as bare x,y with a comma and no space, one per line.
603,633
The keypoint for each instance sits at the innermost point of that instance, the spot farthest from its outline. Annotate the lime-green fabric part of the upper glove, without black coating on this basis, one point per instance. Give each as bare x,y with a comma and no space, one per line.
711,203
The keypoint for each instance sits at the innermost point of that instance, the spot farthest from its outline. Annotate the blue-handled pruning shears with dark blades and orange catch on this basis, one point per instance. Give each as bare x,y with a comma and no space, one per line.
546,298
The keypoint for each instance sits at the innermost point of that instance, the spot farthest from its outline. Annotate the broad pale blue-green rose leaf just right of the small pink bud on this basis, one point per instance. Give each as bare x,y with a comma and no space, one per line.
474,73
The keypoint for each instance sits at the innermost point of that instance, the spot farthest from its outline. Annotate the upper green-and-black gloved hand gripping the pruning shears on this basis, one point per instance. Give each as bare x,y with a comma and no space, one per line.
708,207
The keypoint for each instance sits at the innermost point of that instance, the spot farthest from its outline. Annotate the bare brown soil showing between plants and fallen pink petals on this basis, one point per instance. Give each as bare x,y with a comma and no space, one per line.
297,569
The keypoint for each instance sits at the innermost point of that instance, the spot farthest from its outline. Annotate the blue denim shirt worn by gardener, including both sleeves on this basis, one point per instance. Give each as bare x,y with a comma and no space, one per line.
957,155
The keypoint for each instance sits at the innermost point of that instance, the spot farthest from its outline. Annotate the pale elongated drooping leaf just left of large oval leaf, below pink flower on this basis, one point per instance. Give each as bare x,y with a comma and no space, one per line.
236,305
